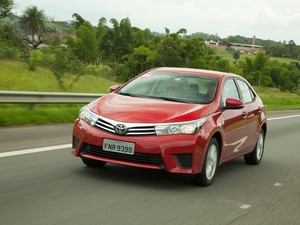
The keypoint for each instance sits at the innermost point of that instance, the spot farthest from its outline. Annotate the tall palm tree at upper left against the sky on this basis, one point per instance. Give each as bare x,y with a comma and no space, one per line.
34,20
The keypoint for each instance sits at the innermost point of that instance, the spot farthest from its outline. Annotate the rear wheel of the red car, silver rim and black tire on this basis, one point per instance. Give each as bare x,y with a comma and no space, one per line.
255,157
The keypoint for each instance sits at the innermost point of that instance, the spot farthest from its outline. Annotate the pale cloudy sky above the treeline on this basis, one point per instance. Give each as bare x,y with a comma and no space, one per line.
277,20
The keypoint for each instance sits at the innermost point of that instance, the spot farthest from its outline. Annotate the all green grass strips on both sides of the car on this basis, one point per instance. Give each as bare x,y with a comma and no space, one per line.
16,76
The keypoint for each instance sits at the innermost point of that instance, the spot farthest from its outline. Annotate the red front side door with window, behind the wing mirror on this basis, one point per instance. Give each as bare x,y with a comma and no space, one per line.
234,123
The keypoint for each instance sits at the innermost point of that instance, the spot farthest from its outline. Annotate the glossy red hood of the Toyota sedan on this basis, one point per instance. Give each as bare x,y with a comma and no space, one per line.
146,110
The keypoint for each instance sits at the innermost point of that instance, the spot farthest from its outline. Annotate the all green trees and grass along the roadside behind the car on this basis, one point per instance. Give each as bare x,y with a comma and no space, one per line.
37,54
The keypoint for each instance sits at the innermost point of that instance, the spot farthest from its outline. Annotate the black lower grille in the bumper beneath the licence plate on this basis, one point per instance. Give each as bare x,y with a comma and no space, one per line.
142,158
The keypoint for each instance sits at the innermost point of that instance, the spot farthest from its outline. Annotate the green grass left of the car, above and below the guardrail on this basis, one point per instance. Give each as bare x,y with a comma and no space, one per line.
15,76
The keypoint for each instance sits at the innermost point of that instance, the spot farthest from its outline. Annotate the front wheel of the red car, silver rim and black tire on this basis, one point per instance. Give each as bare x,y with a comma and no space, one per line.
210,165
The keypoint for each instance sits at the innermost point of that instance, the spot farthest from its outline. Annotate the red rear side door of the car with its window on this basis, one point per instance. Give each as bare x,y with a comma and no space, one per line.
252,111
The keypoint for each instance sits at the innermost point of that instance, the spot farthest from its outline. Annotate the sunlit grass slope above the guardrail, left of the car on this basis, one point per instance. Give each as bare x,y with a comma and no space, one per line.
16,76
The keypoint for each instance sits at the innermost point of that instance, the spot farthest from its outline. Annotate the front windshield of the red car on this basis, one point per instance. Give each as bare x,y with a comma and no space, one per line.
173,86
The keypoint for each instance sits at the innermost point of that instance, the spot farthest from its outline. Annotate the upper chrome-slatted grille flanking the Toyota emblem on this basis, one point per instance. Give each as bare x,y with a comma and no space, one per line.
131,131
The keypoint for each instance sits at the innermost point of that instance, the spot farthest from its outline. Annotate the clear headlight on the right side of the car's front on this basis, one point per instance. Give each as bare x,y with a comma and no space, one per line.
180,128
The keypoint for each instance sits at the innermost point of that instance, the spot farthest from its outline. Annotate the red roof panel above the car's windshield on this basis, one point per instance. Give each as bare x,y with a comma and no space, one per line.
211,73
